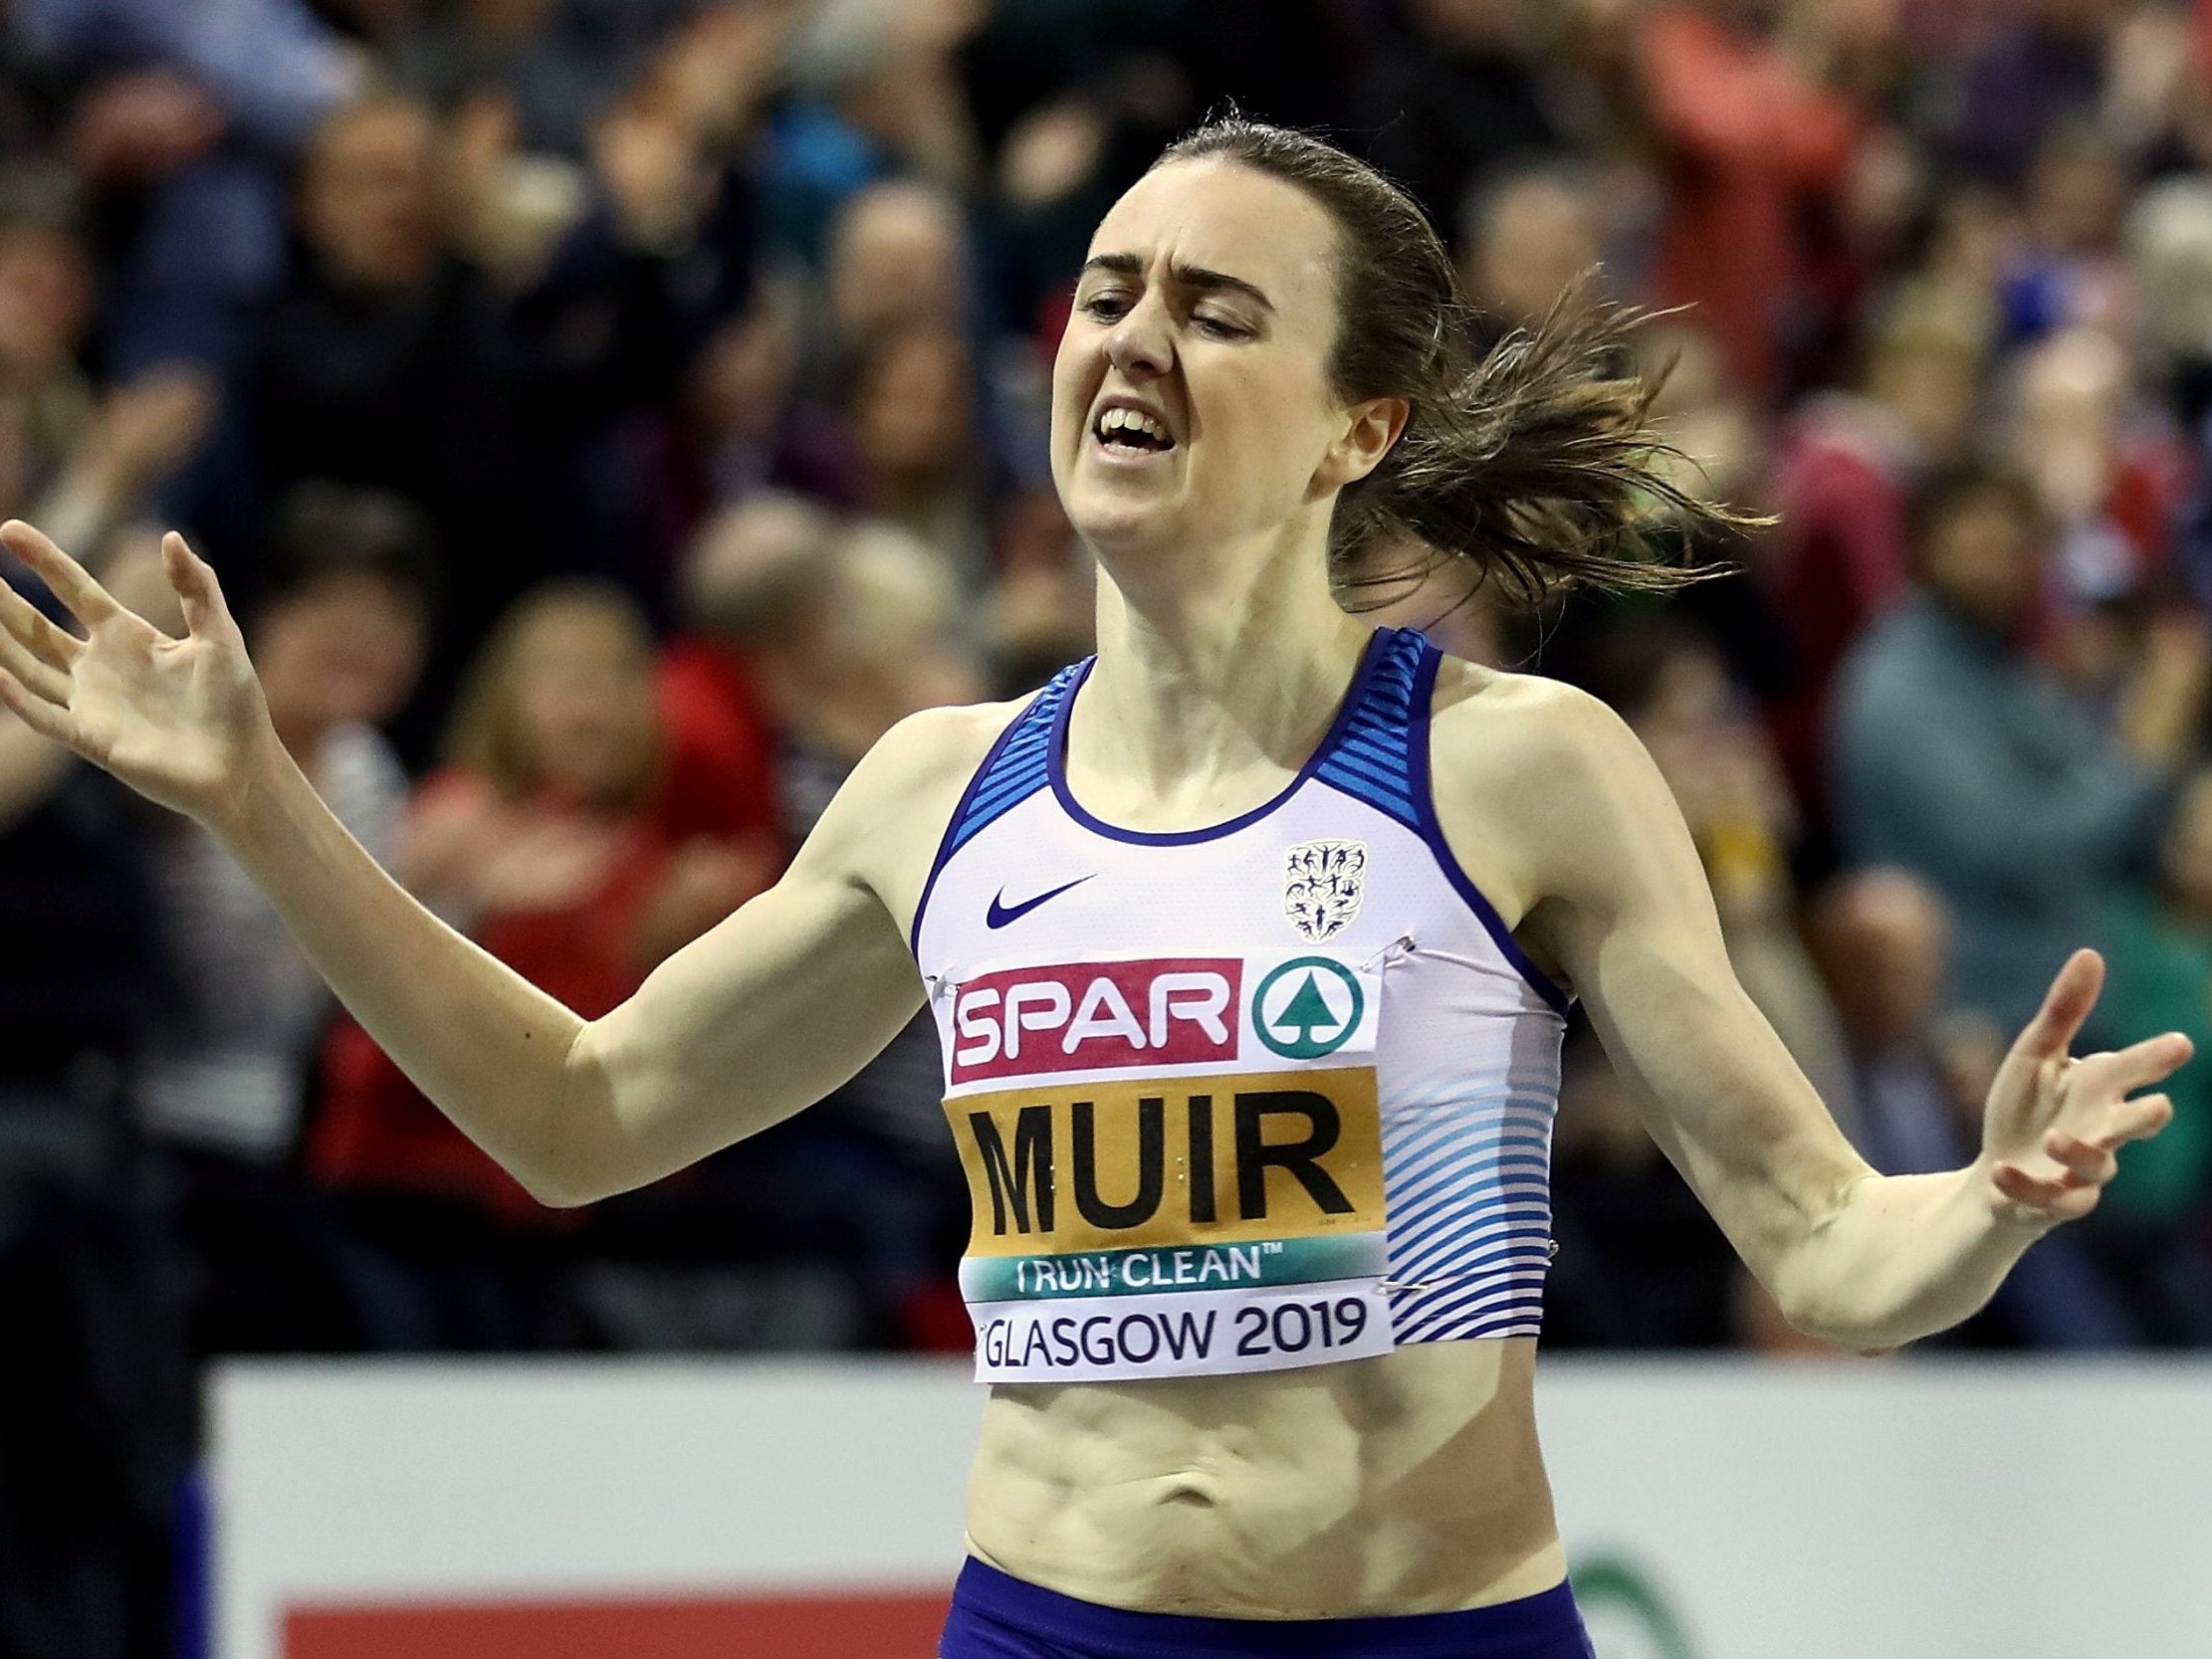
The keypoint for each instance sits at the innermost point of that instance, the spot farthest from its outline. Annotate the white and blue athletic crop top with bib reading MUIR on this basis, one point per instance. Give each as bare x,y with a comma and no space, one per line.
1244,1098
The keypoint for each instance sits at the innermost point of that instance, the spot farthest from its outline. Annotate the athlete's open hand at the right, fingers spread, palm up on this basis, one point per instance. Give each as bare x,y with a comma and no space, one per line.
2054,1125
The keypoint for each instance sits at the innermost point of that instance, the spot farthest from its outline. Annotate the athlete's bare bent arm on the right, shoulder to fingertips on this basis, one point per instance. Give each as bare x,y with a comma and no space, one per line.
1611,888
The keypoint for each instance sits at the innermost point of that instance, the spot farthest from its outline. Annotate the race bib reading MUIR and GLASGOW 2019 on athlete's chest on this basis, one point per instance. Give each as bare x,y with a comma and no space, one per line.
1176,1167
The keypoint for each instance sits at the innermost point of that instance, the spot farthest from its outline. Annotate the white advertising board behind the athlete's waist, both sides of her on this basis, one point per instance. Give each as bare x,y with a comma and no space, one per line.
1713,1510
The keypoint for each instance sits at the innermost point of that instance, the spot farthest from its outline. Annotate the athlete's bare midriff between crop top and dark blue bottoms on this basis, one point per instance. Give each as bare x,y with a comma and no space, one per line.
1406,1483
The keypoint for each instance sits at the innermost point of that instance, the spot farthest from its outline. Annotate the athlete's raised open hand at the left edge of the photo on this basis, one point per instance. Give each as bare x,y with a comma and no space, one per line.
178,720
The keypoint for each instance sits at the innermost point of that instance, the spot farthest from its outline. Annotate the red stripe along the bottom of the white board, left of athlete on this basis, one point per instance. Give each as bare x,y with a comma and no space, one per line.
784,1627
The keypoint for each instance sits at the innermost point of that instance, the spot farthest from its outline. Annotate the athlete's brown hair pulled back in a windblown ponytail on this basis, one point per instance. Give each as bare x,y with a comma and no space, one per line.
1532,461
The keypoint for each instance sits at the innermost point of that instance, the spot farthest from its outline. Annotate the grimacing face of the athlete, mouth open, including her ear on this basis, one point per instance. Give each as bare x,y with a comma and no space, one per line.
1209,311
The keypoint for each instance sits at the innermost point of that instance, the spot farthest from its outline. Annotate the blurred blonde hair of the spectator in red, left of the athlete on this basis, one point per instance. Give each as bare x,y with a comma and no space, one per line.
486,733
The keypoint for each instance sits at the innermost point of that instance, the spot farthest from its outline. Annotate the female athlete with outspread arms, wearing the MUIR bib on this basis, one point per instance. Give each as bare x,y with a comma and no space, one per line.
1249,943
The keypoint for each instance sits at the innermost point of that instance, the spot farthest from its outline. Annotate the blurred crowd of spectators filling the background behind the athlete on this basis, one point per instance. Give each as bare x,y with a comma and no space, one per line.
609,417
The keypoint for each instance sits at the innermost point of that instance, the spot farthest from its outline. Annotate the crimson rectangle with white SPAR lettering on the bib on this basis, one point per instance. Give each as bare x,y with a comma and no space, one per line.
1096,1016
